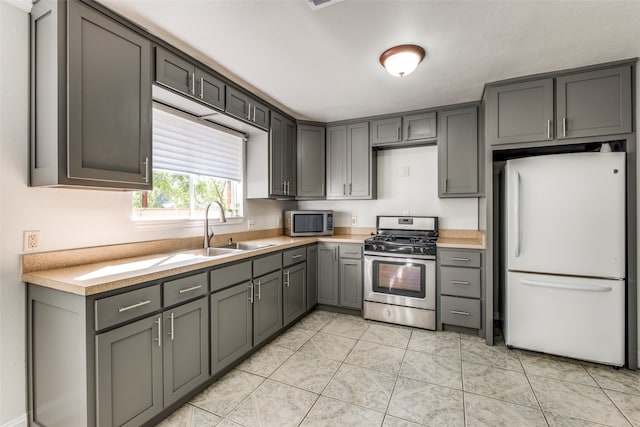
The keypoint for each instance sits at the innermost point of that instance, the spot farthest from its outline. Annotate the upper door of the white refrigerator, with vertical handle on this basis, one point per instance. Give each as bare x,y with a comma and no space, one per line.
566,214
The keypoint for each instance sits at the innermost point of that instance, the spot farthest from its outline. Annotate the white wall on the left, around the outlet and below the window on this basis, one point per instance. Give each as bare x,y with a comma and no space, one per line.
66,218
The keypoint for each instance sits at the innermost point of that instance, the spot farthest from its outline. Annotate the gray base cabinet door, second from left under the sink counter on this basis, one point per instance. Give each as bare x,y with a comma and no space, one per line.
186,349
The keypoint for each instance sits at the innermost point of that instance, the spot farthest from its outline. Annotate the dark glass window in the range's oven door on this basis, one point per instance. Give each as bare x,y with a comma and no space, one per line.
399,278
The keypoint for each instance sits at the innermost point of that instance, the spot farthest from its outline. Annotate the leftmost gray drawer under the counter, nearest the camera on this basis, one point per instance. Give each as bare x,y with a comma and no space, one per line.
129,305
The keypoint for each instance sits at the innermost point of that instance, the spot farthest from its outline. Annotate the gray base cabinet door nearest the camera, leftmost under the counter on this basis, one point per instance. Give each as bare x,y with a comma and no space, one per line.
129,373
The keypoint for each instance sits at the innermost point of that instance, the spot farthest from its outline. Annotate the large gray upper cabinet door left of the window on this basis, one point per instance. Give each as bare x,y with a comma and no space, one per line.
109,121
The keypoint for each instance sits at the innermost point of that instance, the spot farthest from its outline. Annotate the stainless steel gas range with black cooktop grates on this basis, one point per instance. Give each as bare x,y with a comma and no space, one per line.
400,271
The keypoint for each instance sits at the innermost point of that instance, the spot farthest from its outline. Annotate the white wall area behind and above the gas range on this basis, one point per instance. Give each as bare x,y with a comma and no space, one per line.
416,194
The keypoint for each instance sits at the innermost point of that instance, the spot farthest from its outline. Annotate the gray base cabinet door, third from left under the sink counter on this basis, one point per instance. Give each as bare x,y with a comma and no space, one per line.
231,323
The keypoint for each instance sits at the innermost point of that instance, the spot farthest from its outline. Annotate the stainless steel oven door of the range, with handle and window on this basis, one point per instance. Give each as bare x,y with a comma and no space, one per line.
401,281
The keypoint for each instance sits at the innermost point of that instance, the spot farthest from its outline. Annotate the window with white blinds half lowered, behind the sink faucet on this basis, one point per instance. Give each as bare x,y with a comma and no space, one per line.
193,165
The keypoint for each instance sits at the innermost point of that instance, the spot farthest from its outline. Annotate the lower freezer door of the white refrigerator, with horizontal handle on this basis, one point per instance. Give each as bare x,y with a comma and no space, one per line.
568,316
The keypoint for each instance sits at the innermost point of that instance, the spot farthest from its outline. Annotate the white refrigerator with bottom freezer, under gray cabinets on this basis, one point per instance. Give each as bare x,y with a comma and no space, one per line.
565,255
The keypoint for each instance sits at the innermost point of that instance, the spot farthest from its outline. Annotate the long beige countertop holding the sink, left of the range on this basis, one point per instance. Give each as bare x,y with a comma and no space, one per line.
97,277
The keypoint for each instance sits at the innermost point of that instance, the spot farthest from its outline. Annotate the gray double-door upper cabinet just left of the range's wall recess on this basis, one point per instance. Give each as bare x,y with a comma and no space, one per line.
350,162
